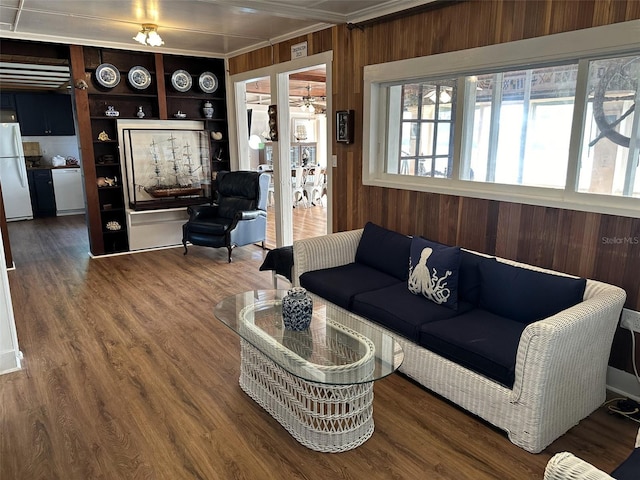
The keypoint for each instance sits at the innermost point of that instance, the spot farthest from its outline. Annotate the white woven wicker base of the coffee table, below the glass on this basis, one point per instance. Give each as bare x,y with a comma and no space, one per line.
326,418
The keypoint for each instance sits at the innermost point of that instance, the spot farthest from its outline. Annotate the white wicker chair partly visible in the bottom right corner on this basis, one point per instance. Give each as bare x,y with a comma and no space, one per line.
566,466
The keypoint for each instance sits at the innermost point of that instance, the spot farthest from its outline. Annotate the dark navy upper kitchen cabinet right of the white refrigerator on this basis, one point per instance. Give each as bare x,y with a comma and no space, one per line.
44,114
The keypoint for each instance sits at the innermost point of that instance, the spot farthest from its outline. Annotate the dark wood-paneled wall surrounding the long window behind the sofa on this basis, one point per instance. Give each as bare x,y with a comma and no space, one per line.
570,241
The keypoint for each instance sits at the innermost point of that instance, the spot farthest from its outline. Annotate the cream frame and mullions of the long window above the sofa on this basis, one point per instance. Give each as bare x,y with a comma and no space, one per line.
580,45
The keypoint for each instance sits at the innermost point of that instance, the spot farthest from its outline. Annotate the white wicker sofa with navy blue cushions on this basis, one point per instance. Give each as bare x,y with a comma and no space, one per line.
503,349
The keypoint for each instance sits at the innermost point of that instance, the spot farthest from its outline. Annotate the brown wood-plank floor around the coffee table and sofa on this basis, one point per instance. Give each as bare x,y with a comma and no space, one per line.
127,375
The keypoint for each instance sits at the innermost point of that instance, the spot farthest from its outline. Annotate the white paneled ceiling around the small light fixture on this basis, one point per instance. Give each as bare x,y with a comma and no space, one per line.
207,28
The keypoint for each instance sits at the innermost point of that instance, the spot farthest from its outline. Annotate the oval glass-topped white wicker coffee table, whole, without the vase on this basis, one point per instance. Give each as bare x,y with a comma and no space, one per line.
317,383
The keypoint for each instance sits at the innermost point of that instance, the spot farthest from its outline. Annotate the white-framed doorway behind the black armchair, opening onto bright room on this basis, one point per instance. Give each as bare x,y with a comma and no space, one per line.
298,158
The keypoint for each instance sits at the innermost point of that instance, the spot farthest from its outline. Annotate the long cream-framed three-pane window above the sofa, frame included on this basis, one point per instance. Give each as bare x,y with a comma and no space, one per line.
548,121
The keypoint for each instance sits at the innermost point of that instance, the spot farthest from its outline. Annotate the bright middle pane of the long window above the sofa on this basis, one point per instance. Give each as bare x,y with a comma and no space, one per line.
520,126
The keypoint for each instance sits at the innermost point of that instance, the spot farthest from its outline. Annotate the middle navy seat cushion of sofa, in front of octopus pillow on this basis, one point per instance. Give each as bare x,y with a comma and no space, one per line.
397,309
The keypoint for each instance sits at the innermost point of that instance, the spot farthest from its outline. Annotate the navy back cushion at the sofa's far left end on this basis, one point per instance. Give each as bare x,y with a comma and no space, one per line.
384,250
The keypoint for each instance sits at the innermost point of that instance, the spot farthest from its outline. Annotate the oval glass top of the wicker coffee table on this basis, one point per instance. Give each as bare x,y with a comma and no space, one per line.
338,348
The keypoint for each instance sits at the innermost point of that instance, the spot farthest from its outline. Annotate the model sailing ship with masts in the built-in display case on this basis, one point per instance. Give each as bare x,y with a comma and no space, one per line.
174,175
